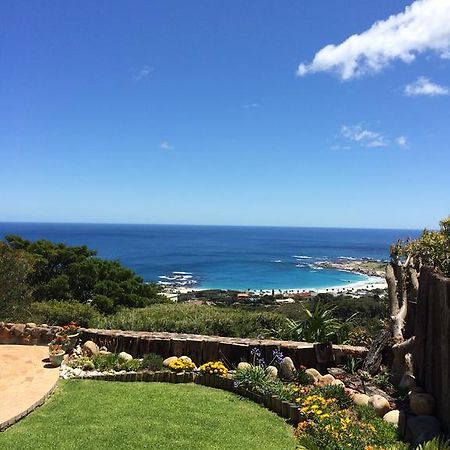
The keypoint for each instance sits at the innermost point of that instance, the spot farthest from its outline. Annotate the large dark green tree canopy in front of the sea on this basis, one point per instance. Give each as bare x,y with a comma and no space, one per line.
62,272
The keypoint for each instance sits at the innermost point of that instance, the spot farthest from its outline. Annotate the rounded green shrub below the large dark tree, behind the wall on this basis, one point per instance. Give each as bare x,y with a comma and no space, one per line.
61,313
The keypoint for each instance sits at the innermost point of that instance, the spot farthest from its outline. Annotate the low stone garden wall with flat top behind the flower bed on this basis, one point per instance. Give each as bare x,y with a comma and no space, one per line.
198,347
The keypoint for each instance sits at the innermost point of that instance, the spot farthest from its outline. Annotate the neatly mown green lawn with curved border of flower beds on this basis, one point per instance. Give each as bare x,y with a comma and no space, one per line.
113,415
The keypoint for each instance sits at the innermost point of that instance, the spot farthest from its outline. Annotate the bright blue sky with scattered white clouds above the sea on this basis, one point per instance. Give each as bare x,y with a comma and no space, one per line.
233,112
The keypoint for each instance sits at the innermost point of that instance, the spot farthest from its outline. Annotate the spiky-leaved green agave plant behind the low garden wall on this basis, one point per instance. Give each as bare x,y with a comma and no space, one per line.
320,325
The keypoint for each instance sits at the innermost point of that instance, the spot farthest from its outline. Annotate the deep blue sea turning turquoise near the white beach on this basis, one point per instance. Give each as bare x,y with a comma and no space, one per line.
223,256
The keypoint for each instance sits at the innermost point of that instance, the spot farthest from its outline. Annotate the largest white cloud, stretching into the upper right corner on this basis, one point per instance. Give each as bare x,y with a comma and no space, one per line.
422,26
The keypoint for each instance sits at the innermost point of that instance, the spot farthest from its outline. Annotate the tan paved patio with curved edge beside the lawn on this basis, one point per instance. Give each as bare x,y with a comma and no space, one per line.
26,380
